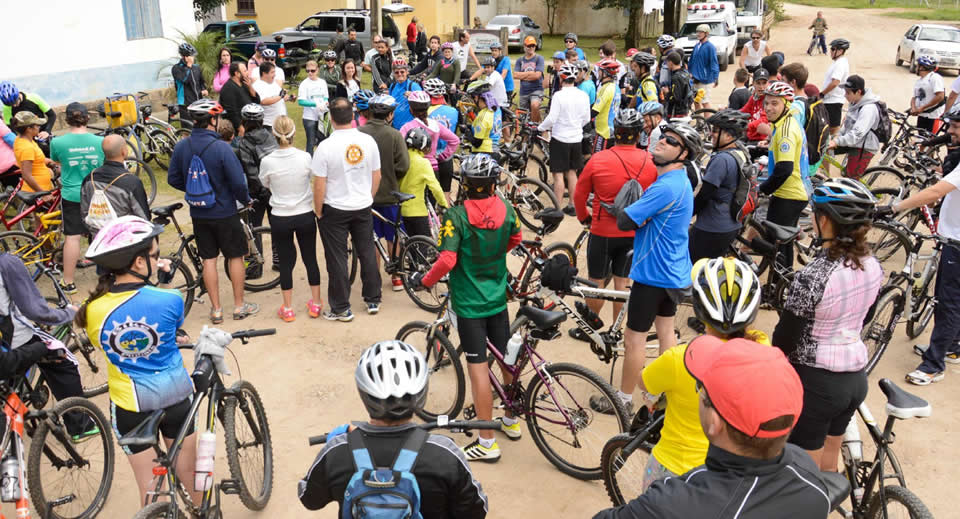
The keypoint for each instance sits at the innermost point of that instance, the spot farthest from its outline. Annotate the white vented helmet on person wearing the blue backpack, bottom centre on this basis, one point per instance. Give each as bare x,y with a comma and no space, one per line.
392,380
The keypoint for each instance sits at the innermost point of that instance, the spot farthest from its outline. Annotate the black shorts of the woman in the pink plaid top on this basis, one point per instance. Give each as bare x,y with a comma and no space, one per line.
829,401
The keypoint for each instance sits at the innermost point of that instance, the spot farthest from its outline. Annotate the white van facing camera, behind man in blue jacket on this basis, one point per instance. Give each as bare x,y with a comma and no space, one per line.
722,19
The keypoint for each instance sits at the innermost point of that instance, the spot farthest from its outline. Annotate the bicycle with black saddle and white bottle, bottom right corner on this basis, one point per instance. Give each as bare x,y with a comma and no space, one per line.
870,495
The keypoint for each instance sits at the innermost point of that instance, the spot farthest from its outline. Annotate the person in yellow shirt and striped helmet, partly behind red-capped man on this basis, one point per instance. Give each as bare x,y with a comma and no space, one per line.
726,297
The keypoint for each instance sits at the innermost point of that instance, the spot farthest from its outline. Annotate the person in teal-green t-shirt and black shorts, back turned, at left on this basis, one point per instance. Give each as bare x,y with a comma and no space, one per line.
78,152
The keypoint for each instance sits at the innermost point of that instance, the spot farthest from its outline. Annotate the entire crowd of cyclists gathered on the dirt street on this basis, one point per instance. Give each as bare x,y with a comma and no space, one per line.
658,195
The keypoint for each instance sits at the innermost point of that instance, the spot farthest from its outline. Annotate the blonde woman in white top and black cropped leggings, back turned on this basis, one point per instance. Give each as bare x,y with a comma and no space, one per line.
286,173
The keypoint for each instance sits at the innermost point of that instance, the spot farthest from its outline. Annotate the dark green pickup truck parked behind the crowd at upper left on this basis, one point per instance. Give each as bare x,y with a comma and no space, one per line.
243,36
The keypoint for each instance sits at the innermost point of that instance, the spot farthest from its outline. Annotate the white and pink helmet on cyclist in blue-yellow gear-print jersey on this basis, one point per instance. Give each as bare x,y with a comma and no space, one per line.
121,241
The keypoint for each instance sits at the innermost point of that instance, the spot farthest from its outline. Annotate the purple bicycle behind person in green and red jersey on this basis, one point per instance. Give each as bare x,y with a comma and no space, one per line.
555,403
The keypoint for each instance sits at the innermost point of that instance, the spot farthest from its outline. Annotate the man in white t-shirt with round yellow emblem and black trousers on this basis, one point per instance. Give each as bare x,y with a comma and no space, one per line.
346,170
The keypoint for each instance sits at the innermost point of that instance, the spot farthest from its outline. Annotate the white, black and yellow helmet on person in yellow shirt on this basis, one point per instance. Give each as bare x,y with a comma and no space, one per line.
726,294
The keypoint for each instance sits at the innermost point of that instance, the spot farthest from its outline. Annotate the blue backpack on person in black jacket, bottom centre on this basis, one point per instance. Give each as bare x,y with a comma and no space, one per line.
385,492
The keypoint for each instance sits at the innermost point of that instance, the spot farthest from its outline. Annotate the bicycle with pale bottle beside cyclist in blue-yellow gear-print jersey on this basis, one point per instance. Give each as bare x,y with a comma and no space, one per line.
253,484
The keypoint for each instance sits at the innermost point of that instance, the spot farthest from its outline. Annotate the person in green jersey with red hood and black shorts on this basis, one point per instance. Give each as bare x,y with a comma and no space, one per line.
474,242
